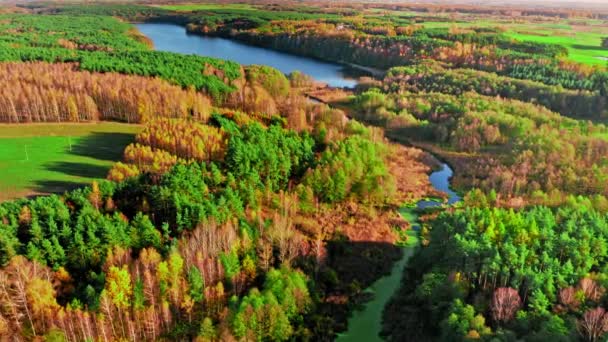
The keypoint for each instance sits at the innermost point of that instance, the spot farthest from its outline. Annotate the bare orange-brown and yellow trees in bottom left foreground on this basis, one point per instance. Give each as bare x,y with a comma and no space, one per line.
29,291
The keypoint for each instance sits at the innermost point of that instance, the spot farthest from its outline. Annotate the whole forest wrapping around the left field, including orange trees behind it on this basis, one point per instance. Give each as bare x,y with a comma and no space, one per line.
209,225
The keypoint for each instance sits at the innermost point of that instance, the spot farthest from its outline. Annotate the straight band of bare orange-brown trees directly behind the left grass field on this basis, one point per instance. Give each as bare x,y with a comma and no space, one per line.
41,92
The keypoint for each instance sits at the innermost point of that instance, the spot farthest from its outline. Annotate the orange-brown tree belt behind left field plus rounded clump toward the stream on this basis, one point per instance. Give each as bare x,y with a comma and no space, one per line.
58,92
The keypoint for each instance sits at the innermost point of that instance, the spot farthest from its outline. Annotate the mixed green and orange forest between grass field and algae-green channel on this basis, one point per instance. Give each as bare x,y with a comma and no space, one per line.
203,249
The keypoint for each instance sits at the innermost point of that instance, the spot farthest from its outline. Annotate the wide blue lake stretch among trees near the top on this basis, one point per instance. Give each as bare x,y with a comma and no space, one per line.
174,38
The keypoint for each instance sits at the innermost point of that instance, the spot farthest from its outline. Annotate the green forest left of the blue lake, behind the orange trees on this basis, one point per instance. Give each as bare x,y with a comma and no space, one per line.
103,44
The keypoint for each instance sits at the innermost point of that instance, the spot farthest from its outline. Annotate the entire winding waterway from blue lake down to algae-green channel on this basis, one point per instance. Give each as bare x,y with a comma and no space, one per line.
364,325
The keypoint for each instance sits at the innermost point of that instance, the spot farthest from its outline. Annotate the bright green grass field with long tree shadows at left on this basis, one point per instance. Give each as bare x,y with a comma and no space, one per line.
51,158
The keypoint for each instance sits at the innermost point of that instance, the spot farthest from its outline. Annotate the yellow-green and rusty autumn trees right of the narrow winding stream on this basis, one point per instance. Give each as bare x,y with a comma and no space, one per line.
514,148
